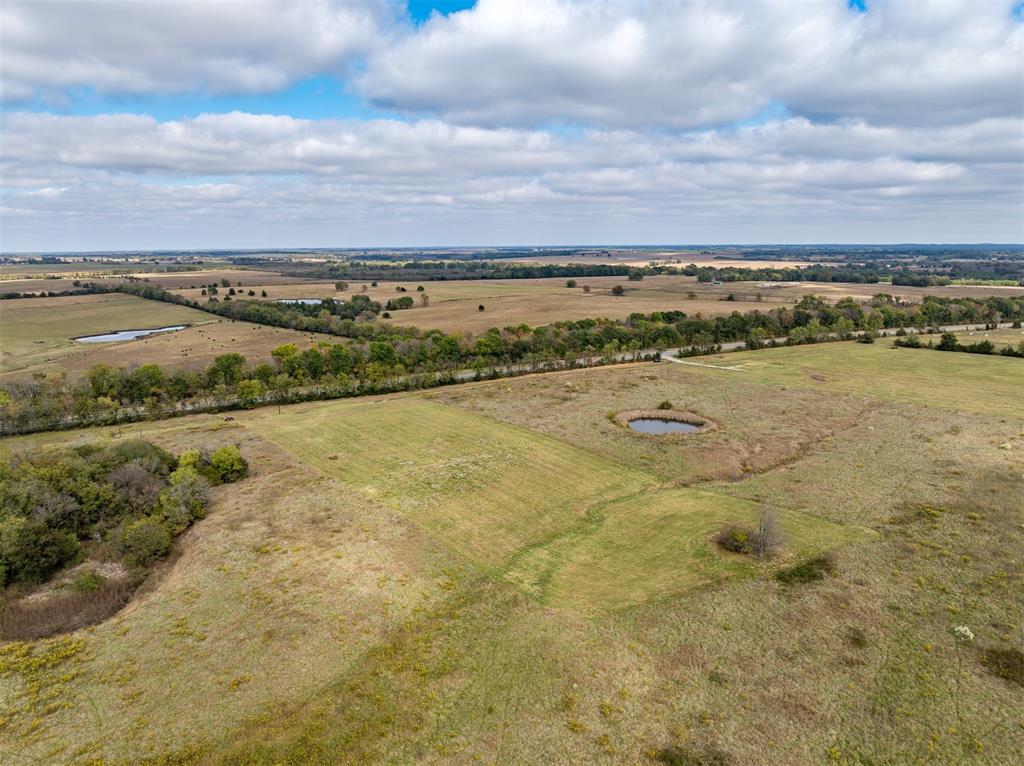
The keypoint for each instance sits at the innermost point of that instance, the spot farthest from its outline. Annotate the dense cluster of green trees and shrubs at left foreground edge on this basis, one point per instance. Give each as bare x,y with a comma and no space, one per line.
133,499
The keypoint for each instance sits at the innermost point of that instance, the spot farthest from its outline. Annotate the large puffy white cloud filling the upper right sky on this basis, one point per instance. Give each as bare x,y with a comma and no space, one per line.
641,63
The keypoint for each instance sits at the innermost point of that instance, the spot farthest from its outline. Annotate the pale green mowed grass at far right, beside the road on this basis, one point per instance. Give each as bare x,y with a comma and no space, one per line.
976,384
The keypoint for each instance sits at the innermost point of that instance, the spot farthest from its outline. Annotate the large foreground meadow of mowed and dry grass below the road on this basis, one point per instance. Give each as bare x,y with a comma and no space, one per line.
498,573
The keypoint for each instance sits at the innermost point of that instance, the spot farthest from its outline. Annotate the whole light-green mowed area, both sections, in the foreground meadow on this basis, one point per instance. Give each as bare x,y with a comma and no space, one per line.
571,529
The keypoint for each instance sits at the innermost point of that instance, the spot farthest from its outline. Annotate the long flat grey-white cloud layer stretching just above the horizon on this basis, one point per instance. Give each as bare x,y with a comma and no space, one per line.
415,183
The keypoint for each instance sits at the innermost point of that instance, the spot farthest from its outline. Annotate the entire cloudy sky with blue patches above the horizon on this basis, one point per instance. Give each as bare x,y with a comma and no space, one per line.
313,123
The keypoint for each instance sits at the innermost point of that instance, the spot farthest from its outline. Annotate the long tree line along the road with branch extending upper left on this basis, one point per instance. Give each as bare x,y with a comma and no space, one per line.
372,358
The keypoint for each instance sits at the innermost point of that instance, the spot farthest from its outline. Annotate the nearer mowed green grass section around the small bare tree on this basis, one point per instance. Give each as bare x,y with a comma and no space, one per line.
661,543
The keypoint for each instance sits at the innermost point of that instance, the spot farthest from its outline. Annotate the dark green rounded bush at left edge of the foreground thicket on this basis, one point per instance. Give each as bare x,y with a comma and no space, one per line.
31,551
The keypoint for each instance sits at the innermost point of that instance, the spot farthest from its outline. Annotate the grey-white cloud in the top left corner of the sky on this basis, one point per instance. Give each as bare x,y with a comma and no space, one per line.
143,47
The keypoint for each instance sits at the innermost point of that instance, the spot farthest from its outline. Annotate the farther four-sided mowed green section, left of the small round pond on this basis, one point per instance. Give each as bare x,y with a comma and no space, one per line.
487,489
